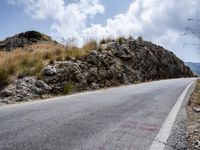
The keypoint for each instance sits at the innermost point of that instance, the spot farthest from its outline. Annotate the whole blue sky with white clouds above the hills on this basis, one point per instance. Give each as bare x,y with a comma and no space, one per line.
160,21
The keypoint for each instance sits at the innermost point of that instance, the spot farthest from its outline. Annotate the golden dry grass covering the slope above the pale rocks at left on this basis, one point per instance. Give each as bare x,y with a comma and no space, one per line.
30,60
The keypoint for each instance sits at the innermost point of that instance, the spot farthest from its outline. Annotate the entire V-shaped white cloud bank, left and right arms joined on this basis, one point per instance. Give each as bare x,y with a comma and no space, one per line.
159,21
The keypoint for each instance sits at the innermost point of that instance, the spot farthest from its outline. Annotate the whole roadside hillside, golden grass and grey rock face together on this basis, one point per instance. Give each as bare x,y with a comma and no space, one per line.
57,70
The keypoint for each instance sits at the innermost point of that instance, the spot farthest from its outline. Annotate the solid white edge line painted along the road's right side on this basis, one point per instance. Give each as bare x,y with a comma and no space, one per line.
164,132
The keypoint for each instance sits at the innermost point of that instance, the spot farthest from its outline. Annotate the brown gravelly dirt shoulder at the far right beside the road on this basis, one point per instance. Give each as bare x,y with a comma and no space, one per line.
193,120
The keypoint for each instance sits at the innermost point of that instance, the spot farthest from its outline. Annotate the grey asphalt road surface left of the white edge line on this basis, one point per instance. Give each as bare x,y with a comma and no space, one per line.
124,118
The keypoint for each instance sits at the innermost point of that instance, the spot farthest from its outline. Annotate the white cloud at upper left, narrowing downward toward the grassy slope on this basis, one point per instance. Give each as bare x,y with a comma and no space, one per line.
68,19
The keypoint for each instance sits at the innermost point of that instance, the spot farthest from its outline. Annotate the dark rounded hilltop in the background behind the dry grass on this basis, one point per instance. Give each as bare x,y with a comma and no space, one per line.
24,39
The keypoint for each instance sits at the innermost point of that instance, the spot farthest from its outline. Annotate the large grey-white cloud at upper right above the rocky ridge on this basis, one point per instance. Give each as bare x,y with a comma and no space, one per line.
160,21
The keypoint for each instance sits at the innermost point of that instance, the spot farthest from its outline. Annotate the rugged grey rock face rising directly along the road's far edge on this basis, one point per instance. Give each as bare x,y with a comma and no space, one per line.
115,63
